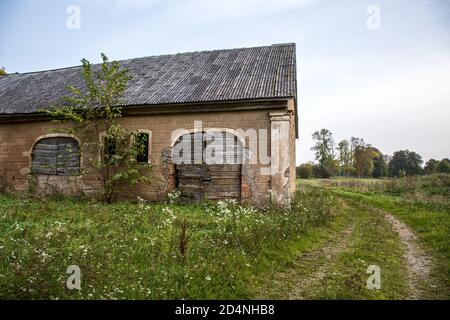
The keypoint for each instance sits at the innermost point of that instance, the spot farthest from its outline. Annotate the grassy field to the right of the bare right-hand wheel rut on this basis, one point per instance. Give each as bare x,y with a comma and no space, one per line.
422,203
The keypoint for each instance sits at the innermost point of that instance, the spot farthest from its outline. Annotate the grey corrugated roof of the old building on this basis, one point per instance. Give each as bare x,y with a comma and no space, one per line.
208,76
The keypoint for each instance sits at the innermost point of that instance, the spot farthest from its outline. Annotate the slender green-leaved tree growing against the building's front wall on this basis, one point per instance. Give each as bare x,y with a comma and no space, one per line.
108,149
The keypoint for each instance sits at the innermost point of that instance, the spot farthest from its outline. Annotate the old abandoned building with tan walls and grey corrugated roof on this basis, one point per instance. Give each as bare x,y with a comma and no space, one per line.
229,91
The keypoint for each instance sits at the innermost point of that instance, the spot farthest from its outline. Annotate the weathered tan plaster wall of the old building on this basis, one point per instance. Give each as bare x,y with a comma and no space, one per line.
16,140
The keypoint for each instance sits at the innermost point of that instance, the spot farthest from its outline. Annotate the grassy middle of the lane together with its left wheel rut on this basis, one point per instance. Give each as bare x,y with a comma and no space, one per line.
334,265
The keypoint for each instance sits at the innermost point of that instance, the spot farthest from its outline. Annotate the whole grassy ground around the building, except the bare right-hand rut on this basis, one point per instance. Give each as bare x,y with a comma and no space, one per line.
318,249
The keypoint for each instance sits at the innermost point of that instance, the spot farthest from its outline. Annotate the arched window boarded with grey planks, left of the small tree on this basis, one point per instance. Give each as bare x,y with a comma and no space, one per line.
56,156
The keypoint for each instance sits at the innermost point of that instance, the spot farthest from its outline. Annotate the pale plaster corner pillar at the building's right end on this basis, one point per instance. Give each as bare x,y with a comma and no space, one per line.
280,161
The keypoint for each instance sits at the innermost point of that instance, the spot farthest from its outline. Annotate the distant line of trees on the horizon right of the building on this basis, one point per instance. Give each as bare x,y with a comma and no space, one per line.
356,158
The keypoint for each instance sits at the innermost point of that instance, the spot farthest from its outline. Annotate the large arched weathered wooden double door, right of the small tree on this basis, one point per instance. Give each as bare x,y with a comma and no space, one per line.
218,173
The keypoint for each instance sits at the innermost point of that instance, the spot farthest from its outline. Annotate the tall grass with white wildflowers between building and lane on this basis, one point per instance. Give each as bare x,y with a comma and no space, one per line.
144,251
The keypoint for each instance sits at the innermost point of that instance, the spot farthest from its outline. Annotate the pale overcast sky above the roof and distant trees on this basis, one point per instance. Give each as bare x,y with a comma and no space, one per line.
386,80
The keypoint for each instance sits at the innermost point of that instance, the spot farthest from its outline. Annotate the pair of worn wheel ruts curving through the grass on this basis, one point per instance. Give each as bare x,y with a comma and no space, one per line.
312,267
